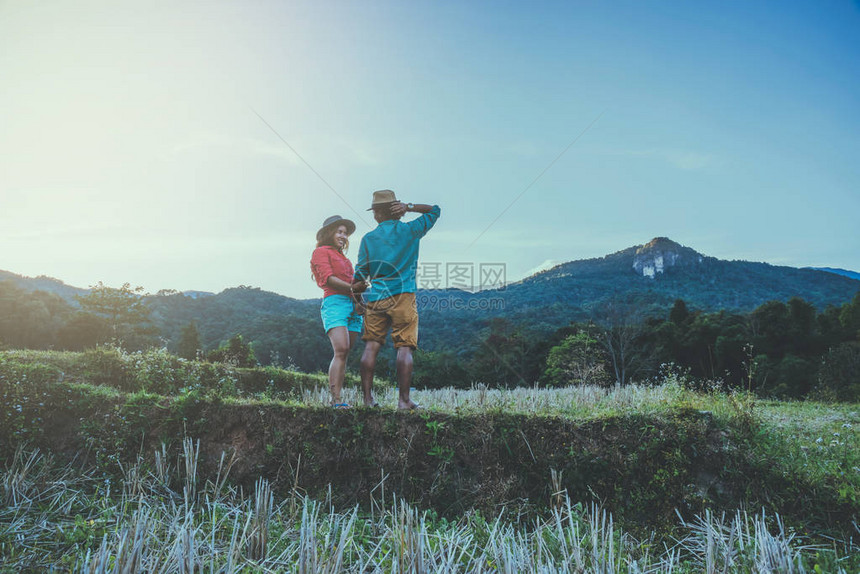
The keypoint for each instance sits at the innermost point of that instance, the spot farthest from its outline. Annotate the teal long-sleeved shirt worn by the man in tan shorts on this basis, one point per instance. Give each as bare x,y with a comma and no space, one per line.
388,255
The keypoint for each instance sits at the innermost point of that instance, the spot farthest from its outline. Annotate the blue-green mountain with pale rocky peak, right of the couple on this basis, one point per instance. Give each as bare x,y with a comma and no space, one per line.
644,280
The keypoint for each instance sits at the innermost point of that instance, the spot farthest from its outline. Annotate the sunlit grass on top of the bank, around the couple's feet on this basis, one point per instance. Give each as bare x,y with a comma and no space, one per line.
818,441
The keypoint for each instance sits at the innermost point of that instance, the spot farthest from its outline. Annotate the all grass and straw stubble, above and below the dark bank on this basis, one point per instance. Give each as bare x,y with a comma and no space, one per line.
157,511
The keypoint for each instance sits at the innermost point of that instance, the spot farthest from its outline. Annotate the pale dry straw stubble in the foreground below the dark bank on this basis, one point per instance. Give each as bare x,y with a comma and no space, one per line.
61,518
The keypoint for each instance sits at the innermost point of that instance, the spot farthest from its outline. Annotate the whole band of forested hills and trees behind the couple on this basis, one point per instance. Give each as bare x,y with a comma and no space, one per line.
777,330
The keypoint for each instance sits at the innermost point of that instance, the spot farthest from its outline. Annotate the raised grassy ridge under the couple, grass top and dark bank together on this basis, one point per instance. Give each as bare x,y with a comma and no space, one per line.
642,453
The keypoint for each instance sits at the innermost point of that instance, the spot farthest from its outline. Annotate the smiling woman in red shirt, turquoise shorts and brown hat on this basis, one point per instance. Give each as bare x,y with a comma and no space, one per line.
333,273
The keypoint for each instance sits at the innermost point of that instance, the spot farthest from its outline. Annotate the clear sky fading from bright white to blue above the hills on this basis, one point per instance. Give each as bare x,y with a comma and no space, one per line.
200,145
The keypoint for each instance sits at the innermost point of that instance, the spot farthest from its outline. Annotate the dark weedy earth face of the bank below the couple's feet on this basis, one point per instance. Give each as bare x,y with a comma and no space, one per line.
641,467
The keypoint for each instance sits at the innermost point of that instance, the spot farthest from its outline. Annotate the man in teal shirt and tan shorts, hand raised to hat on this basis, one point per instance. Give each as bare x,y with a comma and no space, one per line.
388,258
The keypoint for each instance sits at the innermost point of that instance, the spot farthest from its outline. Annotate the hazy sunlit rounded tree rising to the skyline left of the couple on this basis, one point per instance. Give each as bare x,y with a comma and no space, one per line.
124,312
